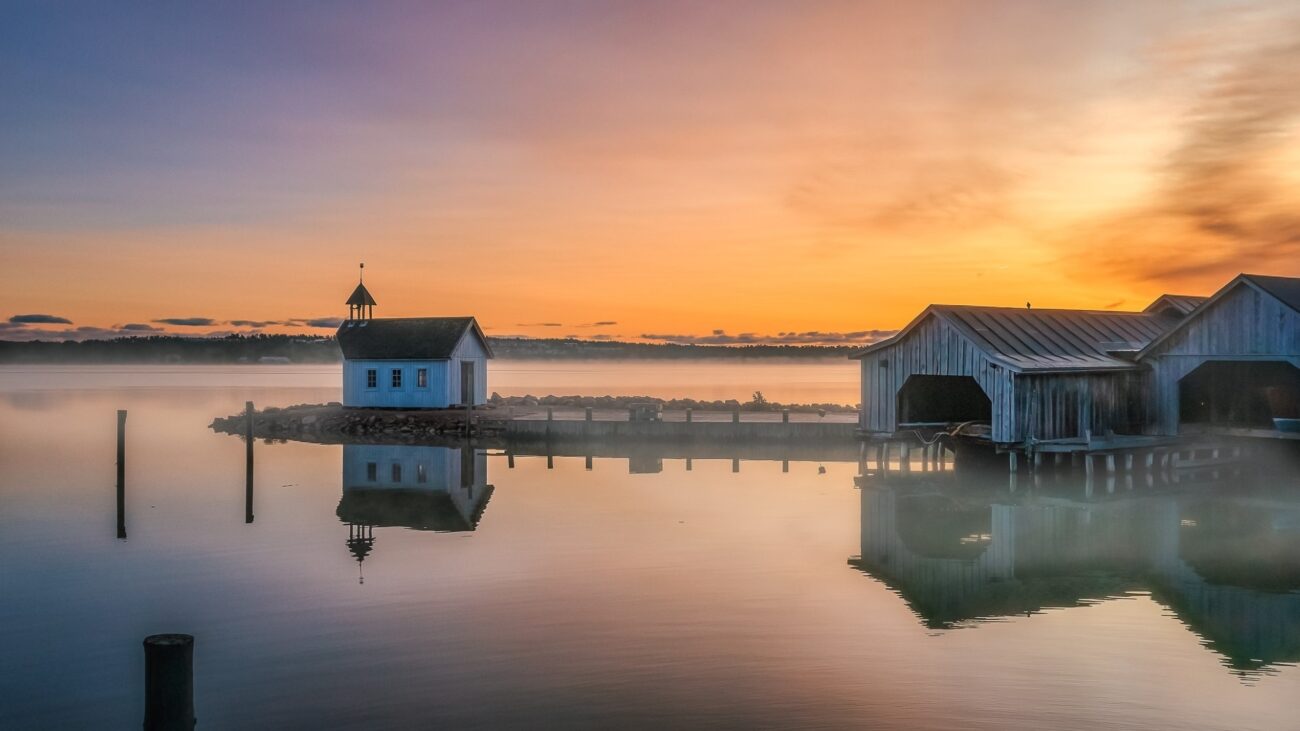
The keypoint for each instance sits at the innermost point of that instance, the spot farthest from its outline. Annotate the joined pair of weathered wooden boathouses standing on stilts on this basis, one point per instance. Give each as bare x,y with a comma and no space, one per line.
1026,379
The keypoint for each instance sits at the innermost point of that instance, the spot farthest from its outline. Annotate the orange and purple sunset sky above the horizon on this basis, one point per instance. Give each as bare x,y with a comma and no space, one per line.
636,170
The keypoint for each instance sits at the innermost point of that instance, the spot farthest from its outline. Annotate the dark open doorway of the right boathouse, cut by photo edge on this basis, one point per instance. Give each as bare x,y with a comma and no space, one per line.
1240,395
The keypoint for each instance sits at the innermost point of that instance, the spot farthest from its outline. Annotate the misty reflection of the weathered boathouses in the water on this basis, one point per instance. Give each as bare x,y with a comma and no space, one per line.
1228,566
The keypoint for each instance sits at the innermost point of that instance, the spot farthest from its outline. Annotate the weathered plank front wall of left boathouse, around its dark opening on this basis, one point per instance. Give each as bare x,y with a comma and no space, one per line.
934,349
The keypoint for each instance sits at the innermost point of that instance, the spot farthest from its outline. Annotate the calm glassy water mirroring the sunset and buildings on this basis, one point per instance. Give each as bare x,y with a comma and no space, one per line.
638,594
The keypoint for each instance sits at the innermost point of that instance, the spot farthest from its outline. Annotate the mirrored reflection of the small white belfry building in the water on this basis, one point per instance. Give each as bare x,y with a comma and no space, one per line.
422,488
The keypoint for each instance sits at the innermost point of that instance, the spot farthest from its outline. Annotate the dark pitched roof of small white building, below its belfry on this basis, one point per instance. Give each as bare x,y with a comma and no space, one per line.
406,339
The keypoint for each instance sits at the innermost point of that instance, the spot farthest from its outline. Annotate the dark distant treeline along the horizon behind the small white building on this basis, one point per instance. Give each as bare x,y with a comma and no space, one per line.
307,349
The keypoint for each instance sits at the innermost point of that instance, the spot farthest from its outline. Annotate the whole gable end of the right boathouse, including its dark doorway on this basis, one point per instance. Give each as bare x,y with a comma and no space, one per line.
1237,343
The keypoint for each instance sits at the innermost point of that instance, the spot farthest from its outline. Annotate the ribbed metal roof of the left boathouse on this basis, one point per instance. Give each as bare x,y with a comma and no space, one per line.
1026,340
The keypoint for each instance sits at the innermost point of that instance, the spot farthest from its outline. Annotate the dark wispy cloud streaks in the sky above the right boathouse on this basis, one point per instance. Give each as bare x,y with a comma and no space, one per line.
1225,198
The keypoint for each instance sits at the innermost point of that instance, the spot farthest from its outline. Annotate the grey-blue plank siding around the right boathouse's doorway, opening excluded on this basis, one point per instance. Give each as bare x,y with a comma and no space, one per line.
1245,325
